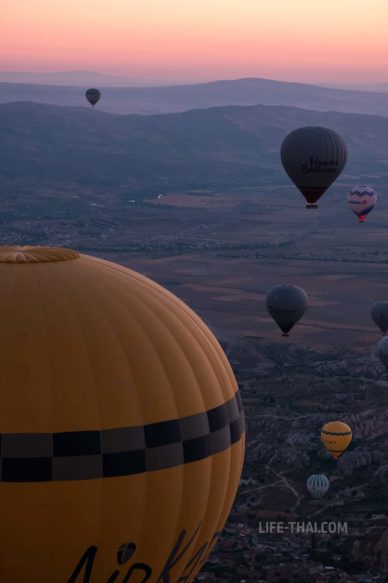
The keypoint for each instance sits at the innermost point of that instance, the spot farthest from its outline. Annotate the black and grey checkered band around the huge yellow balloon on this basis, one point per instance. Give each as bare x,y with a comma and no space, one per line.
87,455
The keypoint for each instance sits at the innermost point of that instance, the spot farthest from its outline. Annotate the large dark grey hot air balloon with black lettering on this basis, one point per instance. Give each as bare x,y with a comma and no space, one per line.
313,158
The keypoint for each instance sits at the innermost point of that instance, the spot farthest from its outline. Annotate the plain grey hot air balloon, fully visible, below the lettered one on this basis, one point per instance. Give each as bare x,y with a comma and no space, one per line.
286,304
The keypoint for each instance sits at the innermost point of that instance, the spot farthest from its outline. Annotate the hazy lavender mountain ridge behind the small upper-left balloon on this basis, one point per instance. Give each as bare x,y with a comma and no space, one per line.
171,99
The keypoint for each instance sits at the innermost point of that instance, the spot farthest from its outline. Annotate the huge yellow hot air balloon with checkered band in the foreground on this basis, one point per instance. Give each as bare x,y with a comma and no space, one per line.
122,431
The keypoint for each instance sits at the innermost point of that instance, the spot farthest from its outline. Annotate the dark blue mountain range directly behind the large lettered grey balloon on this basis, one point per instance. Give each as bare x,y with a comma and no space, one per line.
42,147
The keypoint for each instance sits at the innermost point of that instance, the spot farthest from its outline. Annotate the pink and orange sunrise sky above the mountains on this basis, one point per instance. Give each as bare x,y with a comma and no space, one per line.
301,40
